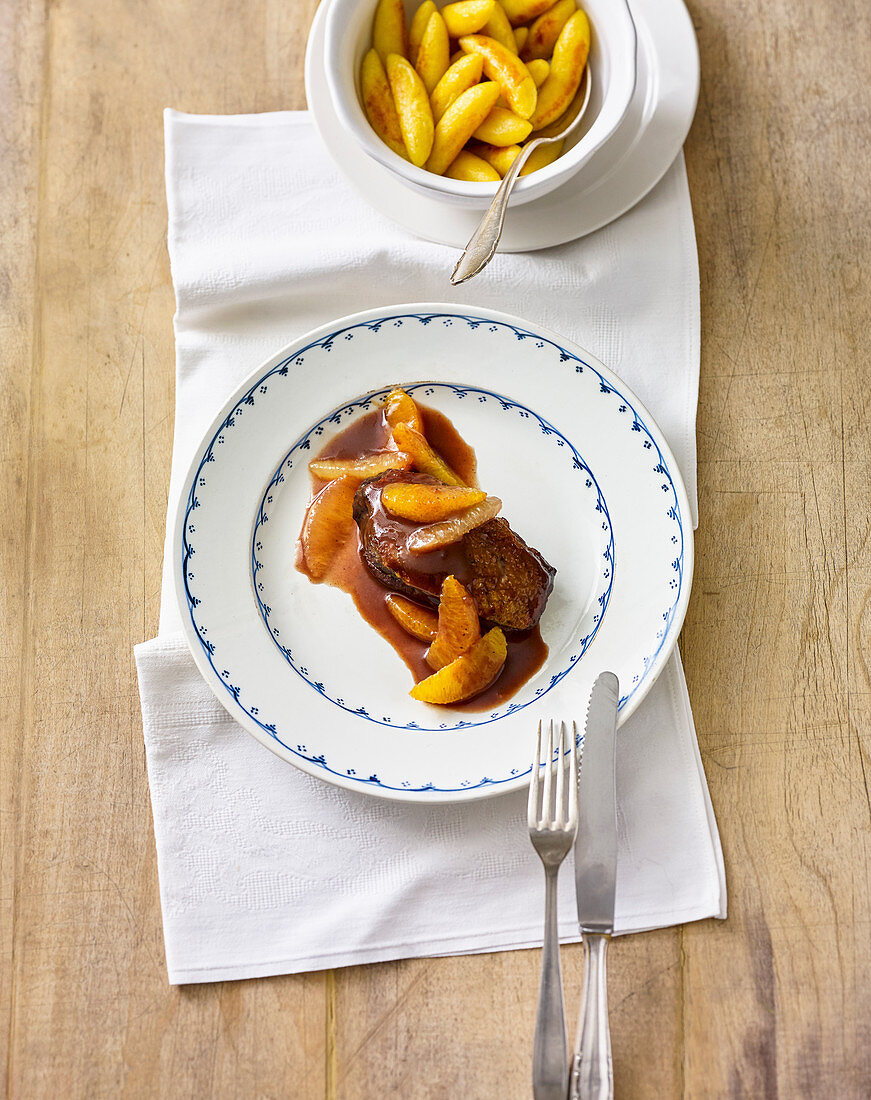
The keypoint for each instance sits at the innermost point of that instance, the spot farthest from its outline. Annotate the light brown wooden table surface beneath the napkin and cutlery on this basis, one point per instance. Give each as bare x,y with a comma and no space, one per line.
775,1003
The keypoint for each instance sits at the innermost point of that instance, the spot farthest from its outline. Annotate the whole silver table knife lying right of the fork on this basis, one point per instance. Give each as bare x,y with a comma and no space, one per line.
596,854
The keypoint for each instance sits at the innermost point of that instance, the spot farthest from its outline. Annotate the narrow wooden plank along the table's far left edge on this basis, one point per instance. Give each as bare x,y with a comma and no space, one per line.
20,36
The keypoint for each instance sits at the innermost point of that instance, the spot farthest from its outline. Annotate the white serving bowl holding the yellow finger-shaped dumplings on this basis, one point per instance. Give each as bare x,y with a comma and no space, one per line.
612,63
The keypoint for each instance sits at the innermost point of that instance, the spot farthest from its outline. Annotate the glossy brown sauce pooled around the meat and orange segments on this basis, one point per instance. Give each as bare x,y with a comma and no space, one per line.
526,653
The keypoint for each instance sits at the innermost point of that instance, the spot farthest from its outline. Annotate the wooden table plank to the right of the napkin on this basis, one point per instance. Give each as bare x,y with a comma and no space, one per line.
775,645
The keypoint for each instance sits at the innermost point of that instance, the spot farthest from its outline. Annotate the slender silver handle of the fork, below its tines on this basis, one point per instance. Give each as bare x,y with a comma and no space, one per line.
550,1069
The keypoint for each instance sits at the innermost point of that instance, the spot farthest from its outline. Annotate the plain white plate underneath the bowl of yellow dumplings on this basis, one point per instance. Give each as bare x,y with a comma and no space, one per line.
621,174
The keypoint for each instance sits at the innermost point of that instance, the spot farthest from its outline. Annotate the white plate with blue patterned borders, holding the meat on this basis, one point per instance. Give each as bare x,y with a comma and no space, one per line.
585,475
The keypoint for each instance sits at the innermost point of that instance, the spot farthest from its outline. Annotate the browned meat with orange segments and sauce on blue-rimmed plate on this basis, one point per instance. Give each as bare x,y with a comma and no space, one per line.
402,512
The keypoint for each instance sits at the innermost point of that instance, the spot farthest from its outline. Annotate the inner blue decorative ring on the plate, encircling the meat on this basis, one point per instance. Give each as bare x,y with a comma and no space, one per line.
366,403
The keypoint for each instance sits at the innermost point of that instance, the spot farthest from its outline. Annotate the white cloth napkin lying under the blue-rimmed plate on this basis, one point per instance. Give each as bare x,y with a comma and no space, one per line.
263,870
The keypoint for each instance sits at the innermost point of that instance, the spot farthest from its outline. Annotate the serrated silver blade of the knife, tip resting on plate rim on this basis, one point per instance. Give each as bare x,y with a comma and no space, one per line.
596,850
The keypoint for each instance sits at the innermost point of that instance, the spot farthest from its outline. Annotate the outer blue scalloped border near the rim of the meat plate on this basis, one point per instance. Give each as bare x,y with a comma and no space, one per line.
282,370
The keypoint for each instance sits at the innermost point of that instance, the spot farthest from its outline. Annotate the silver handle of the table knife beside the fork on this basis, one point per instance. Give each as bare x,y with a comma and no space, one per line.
592,1071
